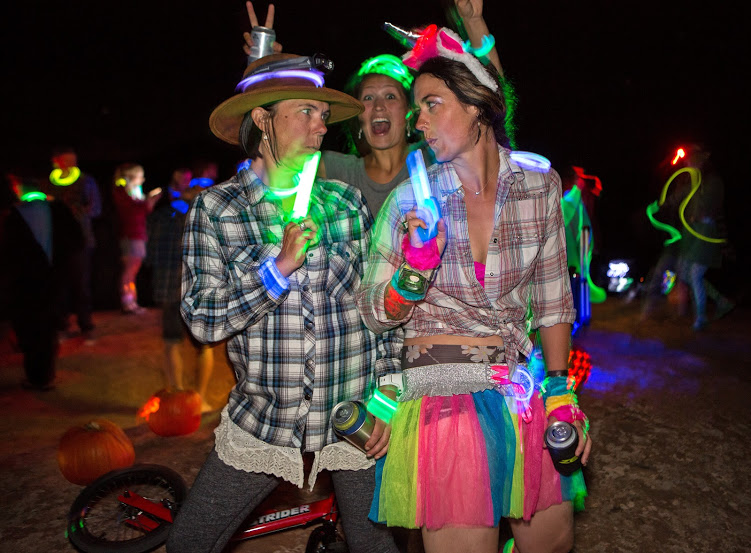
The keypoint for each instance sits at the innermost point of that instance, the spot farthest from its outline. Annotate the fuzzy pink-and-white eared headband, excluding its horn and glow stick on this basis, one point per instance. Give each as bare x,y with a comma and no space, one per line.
434,42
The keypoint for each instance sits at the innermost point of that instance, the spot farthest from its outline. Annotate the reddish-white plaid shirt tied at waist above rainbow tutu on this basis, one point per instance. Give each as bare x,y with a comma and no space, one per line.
525,267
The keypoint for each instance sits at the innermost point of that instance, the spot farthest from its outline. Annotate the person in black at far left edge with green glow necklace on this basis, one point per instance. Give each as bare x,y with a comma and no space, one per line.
40,238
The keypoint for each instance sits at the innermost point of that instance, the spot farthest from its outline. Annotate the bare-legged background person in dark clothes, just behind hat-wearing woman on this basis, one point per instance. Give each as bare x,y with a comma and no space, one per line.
164,255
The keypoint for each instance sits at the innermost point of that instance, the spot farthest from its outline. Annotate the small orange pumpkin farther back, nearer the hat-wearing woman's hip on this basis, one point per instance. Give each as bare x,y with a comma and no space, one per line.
173,412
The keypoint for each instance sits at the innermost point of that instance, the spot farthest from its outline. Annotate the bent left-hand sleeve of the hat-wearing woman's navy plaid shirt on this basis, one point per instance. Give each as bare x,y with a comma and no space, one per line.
218,301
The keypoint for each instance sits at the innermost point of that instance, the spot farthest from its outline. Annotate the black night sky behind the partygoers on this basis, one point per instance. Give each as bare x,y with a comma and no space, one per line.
613,87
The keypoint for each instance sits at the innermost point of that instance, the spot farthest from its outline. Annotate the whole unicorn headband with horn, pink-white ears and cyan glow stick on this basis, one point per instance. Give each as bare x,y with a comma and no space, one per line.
443,42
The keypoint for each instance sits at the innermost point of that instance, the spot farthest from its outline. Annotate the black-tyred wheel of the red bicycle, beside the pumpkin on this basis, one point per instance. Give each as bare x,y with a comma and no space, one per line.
98,522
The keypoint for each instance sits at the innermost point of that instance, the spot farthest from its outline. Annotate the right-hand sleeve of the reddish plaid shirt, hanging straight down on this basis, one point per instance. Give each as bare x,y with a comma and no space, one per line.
551,298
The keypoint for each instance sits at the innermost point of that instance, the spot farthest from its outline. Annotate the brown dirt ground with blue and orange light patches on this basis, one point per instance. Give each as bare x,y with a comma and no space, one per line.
669,411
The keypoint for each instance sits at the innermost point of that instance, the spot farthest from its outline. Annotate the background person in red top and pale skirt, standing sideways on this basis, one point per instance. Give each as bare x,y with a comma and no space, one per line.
132,207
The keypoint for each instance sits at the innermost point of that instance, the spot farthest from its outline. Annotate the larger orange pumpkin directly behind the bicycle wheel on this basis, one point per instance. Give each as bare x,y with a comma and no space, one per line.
90,450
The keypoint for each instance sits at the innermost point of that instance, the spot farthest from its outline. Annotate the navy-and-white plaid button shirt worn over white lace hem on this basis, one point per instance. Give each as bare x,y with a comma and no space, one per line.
299,351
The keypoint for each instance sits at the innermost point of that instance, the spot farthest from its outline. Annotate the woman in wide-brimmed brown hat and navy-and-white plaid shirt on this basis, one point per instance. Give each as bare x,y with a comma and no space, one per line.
280,288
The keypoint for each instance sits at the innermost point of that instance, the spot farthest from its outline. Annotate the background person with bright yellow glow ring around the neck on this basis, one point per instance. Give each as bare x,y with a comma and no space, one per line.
80,193
